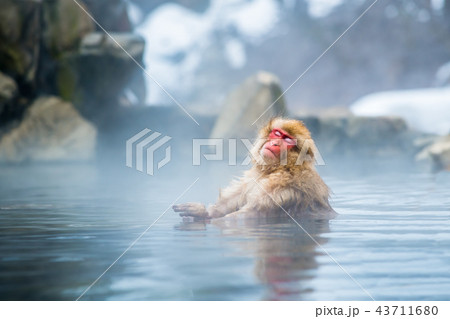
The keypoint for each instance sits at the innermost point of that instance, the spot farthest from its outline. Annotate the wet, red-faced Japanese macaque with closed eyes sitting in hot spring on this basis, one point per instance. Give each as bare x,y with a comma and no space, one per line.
282,180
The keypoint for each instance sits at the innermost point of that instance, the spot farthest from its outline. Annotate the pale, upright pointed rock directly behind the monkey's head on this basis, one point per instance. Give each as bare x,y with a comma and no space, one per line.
247,104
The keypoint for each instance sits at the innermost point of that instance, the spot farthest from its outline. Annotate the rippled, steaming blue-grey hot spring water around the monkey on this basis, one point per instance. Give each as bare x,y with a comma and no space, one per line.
62,226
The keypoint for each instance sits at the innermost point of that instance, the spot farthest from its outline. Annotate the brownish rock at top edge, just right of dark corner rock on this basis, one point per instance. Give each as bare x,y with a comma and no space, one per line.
65,24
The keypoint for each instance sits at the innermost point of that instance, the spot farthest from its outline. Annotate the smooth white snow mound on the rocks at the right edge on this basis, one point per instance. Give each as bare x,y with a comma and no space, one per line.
426,110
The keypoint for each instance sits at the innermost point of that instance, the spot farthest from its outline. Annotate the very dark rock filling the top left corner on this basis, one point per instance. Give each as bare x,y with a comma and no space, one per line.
20,29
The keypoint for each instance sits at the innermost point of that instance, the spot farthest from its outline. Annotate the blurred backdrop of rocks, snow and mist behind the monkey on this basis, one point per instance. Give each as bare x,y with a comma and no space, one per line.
71,92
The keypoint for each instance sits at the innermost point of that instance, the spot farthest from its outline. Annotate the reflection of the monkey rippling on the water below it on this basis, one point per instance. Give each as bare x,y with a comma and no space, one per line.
284,253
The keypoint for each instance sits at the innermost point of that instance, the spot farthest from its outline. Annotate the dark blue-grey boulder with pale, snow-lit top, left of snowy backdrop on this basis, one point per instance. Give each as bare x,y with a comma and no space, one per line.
98,77
